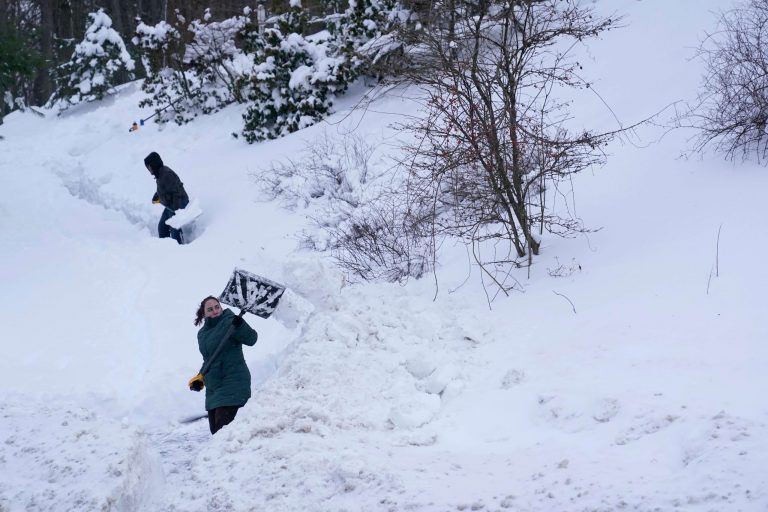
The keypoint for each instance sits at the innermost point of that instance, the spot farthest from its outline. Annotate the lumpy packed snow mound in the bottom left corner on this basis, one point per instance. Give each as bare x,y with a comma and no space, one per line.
58,456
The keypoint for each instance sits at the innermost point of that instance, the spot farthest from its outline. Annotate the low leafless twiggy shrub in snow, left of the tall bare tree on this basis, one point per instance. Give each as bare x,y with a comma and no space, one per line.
355,210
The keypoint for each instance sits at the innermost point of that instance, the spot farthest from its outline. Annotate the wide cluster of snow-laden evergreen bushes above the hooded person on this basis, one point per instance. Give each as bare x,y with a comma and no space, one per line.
288,79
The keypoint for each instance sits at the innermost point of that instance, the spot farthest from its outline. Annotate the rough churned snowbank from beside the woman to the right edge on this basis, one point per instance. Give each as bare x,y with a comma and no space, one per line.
385,398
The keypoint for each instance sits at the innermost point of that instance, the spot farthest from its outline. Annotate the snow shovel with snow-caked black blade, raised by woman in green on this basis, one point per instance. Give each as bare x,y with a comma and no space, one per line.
251,293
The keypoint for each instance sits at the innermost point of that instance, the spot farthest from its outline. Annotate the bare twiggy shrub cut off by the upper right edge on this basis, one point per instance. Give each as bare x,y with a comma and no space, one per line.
732,110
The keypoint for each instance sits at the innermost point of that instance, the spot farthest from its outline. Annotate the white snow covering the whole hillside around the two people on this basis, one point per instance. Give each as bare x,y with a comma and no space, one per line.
633,381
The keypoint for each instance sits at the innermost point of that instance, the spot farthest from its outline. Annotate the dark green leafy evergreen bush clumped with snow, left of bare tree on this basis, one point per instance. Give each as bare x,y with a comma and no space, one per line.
294,78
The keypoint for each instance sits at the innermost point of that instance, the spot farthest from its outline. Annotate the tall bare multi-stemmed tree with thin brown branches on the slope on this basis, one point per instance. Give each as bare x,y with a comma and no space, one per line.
496,142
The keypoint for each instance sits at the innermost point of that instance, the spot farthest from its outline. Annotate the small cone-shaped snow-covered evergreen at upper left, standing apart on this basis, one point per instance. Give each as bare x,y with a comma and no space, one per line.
99,63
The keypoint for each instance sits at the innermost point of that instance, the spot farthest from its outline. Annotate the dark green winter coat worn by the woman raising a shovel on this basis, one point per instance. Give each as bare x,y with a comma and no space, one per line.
228,381
